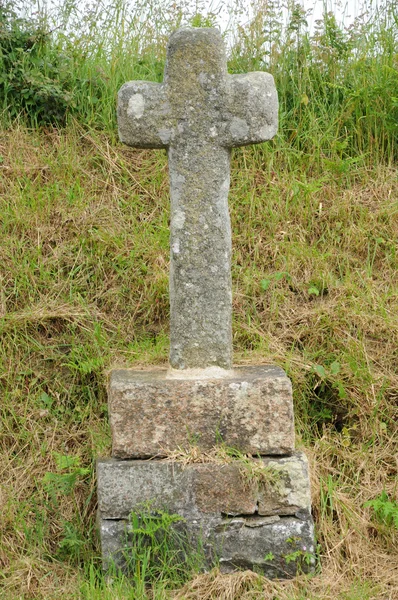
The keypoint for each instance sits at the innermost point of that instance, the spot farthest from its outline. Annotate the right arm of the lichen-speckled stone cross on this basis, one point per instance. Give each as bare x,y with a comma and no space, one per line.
252,109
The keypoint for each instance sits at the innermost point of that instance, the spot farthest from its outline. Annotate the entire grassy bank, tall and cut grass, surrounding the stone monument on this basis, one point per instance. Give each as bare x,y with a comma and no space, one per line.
84,279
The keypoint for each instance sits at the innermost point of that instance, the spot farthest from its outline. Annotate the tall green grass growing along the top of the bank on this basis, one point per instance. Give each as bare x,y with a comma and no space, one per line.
338,88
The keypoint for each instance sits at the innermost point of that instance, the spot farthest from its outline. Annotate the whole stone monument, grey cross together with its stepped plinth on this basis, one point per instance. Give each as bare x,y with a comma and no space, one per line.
198,114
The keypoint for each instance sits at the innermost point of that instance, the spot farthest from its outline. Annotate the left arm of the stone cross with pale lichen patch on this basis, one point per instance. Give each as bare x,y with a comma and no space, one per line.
144,115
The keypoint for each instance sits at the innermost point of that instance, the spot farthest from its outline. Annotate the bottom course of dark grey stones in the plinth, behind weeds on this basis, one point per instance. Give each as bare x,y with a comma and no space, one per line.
275,546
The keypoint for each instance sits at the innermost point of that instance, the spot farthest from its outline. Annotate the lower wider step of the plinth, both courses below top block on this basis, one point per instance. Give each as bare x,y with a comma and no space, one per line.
243,517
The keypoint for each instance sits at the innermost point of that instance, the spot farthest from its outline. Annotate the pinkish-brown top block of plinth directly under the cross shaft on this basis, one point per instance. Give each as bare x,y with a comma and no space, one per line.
251,409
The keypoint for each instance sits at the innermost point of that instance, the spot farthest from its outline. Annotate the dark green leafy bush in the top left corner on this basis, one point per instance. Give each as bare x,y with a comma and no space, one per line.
36,78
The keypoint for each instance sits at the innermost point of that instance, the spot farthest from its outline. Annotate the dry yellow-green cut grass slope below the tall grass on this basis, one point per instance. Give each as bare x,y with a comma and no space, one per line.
84,275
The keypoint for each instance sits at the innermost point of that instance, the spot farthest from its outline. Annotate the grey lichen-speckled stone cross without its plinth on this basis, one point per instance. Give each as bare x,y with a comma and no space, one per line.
198,114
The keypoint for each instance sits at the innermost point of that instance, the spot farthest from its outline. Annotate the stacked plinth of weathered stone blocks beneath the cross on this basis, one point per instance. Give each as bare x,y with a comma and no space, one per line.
239,519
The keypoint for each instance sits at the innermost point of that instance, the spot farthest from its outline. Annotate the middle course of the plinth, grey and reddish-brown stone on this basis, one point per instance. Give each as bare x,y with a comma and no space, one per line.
202,488
